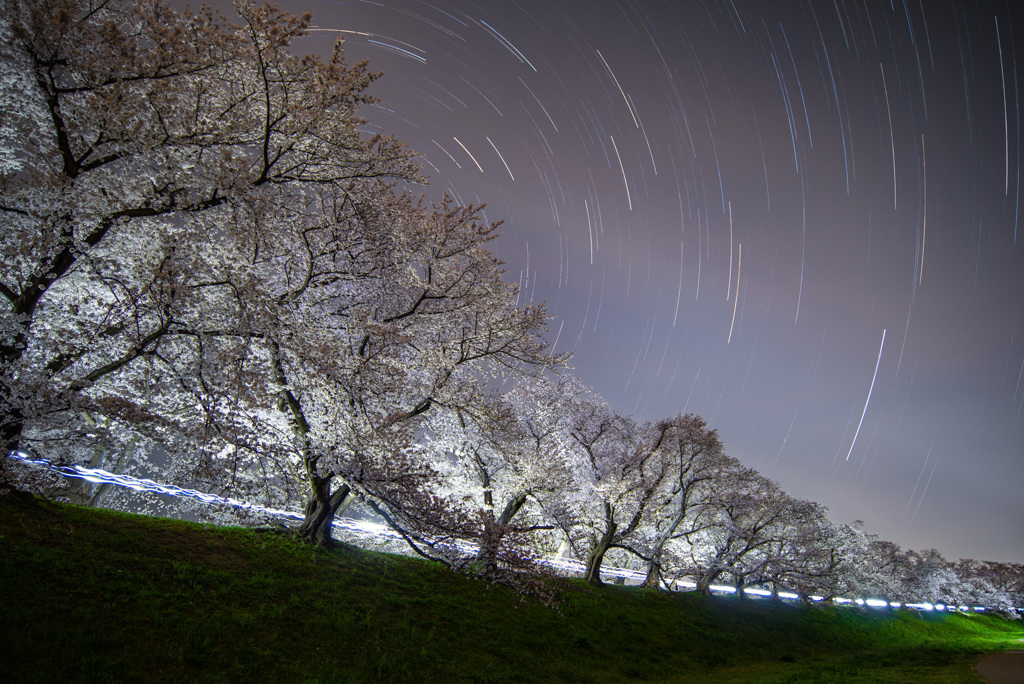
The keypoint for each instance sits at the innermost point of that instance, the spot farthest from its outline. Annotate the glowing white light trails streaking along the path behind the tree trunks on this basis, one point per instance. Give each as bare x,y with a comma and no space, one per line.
369,529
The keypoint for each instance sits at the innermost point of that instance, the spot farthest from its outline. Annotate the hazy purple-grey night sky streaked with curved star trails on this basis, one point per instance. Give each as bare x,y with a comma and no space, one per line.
799,221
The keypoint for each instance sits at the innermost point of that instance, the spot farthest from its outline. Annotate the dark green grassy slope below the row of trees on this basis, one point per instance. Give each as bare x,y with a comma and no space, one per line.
98,596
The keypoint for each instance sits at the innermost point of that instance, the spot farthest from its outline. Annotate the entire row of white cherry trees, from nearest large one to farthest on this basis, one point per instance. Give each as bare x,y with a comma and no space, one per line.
205,258
